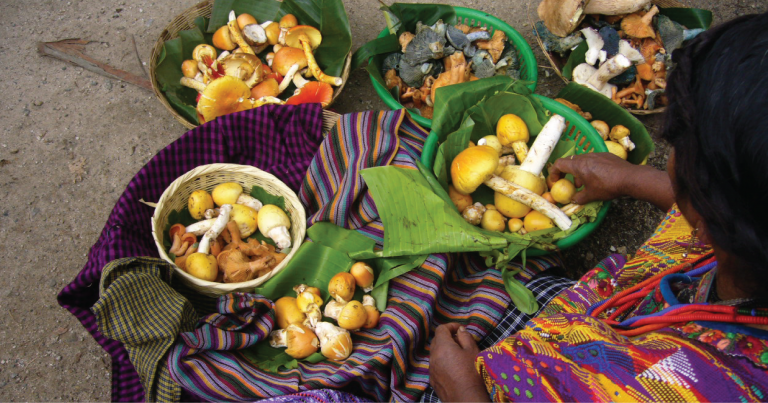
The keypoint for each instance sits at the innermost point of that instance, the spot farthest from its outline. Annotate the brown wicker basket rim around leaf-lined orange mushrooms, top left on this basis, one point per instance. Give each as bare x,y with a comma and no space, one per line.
185,21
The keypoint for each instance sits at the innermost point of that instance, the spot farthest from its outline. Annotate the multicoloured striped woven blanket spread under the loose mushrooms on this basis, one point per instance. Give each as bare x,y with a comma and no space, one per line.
390,362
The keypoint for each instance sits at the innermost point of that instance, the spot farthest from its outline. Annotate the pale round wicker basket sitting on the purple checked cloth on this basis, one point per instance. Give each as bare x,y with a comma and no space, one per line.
207,177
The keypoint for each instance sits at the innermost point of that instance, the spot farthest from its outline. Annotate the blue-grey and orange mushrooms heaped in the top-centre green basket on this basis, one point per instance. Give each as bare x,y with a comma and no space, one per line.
441,54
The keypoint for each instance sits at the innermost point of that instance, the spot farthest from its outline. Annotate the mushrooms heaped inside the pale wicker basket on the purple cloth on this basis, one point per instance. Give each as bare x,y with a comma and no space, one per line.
225,254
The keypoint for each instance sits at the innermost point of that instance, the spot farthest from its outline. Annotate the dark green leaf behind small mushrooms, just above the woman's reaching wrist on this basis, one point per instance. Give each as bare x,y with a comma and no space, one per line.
606,110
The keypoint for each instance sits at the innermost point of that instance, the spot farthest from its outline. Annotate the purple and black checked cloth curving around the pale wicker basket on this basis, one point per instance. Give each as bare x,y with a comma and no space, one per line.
278,139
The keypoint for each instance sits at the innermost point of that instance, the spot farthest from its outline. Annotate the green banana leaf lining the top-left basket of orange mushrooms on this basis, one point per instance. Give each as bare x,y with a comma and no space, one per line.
327,15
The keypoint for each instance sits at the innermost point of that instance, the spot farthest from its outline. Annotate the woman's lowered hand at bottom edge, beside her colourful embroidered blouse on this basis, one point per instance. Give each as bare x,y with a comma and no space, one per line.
452,370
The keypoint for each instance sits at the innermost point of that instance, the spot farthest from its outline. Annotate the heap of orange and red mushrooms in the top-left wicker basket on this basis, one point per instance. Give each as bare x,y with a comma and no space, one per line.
237,79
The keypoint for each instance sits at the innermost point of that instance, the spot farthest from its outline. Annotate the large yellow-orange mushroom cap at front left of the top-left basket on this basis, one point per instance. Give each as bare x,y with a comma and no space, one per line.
223,96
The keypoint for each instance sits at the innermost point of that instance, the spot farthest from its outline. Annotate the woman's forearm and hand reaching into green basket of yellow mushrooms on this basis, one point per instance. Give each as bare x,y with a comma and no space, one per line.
606,177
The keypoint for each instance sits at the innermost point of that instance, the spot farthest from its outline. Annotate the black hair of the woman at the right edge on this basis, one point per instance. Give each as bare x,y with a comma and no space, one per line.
717,121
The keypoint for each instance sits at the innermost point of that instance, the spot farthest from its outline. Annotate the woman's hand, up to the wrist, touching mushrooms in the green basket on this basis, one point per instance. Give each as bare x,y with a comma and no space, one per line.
603,175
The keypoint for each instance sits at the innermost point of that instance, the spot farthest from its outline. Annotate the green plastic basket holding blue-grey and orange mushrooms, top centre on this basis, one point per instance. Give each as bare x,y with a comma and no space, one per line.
474,18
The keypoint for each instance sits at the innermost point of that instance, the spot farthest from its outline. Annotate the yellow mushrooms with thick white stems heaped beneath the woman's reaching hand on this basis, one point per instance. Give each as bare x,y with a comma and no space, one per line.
524,200
